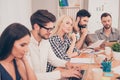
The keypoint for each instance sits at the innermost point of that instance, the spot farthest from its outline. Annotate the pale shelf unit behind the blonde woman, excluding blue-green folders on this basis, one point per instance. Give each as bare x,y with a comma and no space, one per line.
73,7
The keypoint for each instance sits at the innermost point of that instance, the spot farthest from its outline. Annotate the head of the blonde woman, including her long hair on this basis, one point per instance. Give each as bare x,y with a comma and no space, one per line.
64,25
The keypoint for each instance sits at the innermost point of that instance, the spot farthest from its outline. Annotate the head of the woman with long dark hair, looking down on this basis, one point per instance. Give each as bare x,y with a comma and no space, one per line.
14,41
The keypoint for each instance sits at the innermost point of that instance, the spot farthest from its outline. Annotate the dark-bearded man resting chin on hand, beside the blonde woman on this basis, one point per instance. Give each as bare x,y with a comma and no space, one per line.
80,27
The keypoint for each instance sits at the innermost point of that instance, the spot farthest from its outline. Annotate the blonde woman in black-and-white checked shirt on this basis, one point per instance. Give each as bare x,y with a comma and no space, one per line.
63,40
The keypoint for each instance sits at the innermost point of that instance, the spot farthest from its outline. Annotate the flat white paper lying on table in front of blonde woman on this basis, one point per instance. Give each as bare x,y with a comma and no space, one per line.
82,60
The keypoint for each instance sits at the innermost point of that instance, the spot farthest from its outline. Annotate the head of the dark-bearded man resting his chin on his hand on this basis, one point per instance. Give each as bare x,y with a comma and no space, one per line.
83,16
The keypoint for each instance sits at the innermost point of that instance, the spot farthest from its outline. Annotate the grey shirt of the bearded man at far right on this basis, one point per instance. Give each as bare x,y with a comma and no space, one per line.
114,35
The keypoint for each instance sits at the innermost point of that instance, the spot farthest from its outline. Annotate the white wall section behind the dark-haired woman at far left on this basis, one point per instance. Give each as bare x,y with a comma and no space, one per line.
14,11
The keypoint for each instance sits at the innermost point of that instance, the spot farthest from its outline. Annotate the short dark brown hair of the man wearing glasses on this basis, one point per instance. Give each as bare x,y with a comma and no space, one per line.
42,17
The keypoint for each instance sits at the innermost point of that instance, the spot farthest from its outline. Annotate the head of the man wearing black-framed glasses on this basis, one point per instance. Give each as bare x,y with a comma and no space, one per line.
42,22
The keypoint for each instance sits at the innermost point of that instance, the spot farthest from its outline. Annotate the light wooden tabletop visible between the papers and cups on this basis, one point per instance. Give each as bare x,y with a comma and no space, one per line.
89,75
